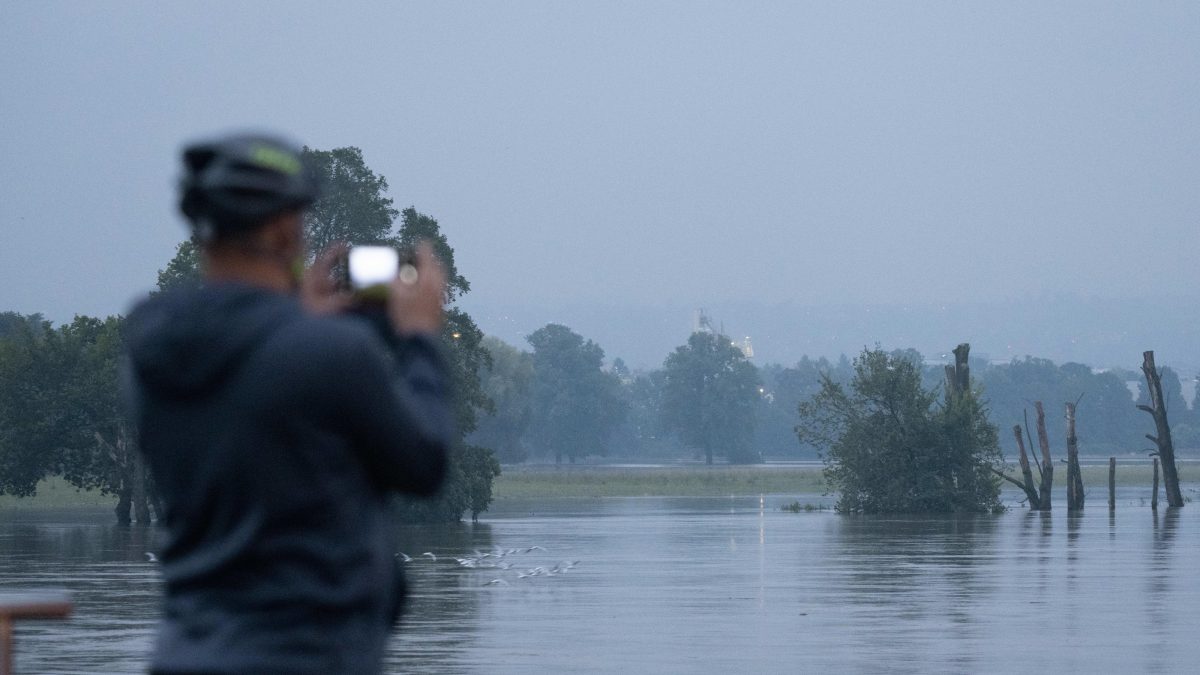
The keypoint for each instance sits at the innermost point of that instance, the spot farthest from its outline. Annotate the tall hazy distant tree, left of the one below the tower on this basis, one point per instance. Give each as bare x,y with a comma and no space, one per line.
577,405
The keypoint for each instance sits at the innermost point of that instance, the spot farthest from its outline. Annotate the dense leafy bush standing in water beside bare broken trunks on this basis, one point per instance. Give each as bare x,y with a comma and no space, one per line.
890,447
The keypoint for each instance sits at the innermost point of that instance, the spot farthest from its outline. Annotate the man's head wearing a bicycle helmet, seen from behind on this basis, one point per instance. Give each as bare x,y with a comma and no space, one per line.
244,196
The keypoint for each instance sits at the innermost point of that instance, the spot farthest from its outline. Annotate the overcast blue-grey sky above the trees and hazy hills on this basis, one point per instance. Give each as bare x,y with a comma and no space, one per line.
635,153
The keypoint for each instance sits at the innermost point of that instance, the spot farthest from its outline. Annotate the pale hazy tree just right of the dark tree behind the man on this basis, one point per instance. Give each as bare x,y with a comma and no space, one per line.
508,384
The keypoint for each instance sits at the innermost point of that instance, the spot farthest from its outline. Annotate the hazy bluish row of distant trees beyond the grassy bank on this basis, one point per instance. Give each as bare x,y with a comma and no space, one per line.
560,401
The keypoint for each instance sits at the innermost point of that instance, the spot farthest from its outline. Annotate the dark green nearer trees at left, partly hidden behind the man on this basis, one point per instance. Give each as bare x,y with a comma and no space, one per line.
61,413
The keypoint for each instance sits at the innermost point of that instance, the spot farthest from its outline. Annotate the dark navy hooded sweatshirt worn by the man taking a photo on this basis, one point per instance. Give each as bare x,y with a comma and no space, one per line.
275,439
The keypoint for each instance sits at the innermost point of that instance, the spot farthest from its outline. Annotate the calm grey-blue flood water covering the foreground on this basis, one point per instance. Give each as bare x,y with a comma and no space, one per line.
703,586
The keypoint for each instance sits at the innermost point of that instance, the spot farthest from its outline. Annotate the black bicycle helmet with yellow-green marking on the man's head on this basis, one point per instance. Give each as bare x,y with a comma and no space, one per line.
235,183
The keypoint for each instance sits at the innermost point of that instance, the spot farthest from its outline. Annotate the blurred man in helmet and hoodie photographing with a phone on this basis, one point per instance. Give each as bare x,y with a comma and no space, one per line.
277,425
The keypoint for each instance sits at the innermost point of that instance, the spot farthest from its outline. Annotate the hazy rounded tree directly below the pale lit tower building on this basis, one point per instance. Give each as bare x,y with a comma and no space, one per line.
710,397
